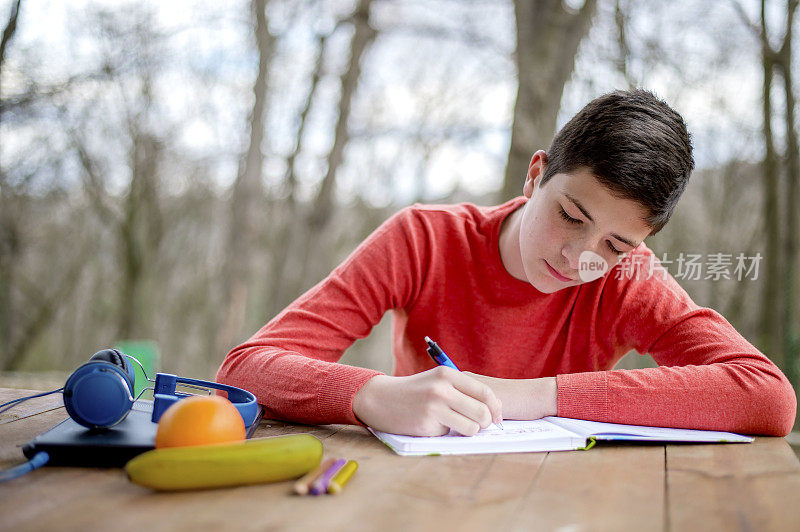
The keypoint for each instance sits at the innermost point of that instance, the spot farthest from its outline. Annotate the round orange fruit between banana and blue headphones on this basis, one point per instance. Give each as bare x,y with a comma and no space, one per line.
199,420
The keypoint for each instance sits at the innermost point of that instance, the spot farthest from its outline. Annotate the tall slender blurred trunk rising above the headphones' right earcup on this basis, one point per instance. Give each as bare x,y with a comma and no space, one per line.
246,193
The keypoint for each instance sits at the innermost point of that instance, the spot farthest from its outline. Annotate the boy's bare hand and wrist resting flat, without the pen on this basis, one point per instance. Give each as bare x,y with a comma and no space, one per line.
523,398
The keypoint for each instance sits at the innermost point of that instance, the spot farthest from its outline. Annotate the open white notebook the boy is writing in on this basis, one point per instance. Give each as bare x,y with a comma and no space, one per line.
546,434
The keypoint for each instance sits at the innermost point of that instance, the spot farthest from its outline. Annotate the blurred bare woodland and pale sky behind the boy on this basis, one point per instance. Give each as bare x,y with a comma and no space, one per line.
180,171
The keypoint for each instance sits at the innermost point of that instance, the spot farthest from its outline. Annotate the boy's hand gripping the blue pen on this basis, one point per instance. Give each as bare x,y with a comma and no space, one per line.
427,404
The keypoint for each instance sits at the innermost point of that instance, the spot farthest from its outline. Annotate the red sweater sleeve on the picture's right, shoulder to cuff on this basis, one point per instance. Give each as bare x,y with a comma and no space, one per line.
709,376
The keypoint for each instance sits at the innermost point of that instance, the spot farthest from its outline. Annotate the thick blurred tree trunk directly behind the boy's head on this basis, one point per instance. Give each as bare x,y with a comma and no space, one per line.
548,37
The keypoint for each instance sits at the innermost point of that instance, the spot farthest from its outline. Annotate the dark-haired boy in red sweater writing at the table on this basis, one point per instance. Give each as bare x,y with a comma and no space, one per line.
502,290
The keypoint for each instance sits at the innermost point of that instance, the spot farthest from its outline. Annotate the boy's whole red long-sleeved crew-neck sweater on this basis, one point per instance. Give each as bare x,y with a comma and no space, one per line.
438,269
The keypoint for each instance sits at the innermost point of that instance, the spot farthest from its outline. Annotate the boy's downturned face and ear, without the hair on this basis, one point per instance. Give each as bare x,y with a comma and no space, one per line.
570,219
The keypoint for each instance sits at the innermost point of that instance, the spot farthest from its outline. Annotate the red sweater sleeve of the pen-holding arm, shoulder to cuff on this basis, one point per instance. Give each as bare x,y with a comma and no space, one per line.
290,364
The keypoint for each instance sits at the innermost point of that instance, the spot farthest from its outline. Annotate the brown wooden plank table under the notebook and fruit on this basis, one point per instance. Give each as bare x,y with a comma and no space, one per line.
610,487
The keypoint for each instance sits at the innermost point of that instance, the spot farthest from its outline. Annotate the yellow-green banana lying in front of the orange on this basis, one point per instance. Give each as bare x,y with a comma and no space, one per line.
226,464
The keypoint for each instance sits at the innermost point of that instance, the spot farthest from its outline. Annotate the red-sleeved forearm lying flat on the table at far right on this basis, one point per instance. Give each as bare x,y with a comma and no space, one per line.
750,396
